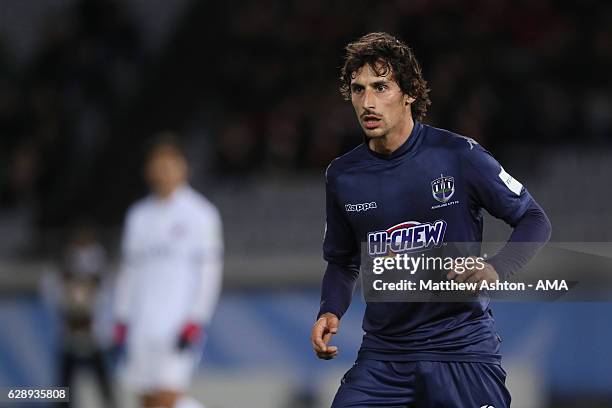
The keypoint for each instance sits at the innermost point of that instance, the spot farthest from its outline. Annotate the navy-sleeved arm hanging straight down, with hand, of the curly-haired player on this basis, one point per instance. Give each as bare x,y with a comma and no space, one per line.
342,255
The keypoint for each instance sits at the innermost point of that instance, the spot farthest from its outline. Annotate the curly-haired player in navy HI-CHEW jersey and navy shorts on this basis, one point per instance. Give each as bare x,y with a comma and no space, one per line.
426,354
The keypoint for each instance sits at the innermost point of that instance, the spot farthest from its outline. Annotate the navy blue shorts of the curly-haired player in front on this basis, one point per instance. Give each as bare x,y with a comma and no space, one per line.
423,384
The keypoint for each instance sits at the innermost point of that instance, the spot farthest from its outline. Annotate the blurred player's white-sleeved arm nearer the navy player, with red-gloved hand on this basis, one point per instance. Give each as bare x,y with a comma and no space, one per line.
207,259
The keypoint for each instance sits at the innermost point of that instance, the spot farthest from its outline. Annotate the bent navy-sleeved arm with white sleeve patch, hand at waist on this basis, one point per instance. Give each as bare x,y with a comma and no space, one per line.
492,188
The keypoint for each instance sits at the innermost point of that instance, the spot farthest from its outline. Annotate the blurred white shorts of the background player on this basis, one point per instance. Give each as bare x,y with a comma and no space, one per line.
150,367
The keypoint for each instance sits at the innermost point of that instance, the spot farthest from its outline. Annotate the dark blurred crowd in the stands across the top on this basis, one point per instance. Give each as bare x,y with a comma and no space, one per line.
502,72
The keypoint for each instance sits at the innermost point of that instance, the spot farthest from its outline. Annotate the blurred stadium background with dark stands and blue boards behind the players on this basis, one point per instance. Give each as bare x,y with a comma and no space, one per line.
252,88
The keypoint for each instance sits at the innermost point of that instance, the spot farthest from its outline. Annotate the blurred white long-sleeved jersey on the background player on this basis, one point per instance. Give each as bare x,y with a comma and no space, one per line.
171,268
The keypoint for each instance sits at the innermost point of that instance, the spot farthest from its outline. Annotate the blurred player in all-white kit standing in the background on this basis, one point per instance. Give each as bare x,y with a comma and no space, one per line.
169,282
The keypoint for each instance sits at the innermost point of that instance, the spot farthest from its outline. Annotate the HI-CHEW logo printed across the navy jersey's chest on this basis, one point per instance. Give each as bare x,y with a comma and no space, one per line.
406,237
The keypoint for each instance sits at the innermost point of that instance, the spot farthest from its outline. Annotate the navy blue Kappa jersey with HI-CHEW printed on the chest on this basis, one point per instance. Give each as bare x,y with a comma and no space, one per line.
440,181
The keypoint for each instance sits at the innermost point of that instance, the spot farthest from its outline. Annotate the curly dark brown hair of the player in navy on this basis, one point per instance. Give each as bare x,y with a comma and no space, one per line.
385,53
